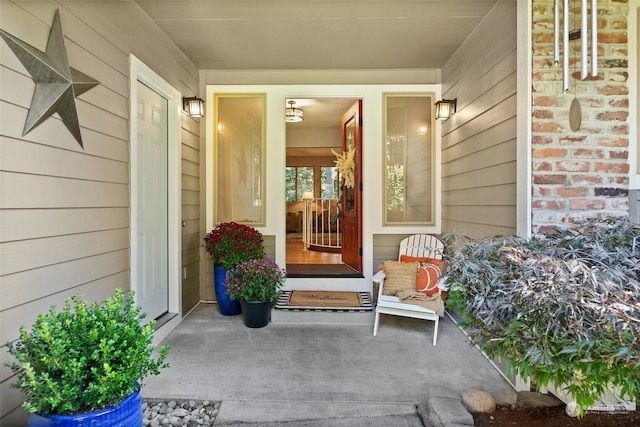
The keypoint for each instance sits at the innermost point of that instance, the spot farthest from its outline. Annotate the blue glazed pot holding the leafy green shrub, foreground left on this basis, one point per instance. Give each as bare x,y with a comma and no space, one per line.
127,413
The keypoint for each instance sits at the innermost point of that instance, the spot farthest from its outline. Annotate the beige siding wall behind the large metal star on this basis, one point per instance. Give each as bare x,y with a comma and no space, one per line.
64,210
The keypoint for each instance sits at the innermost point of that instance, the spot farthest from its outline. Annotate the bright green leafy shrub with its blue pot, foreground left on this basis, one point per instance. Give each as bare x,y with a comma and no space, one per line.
84,365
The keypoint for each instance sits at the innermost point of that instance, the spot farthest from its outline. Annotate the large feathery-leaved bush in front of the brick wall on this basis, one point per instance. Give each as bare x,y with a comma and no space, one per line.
563,308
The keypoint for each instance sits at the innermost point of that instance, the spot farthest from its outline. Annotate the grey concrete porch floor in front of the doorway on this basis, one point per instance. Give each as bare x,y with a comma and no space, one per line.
324,375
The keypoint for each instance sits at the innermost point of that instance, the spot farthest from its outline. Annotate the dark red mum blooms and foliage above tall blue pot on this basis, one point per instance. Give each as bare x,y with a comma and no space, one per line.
231,243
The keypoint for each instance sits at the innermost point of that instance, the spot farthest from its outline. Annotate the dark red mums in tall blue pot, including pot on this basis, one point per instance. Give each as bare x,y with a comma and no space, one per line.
229,244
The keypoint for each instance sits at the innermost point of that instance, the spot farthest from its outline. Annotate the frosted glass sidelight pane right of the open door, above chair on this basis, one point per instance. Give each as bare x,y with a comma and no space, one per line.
408,159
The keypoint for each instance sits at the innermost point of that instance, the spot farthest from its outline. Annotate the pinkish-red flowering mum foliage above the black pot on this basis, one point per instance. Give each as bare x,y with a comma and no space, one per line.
255,280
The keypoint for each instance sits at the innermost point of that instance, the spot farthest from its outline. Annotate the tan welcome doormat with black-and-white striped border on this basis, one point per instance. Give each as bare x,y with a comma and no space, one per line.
324,300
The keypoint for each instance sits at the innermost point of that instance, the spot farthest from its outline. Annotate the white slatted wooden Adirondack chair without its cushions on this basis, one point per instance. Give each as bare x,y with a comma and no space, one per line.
418,245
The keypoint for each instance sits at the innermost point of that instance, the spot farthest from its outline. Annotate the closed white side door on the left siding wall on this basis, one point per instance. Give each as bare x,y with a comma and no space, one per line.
152,207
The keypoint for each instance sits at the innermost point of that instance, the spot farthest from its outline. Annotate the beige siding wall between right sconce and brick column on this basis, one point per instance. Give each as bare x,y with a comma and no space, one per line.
479,141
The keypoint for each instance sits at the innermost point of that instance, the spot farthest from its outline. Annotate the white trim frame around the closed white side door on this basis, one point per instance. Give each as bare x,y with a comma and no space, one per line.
139,72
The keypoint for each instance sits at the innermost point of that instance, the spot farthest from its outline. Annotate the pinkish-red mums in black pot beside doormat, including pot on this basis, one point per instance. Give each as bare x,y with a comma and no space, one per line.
256,284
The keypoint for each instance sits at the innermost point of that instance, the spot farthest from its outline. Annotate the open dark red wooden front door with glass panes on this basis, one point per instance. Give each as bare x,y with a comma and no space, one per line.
352,191
